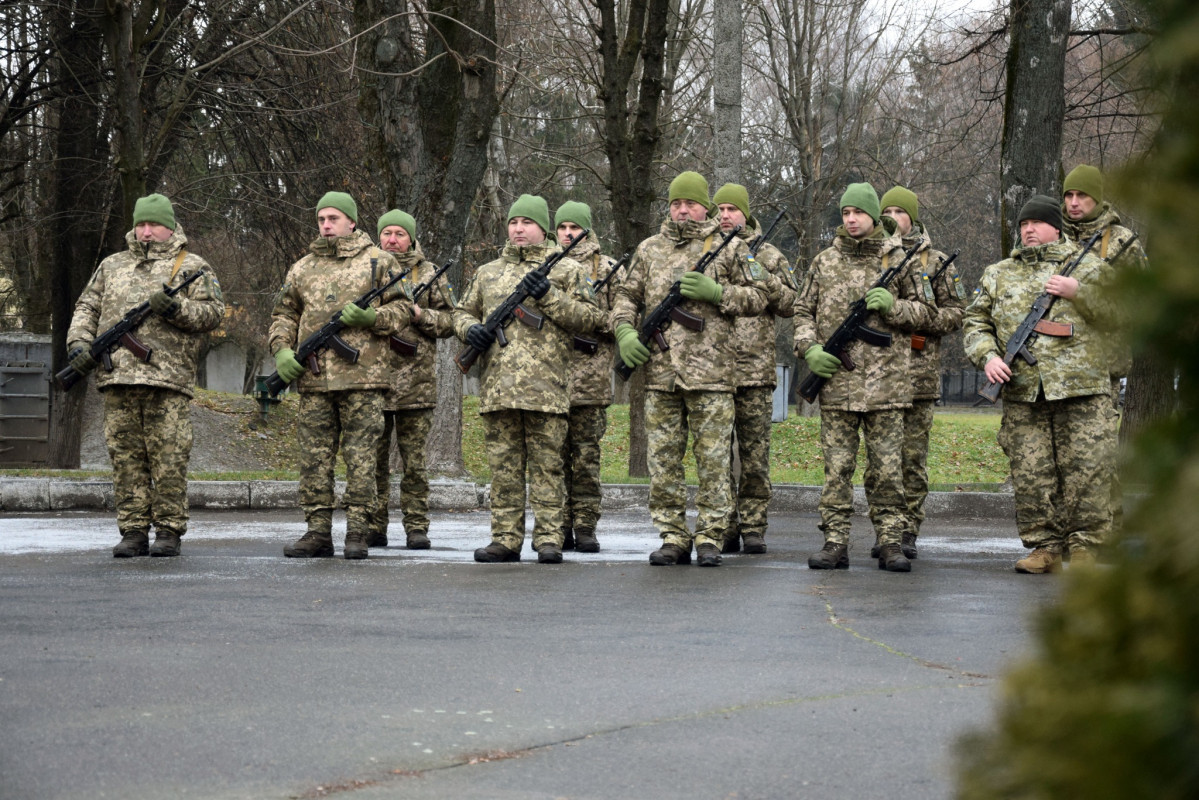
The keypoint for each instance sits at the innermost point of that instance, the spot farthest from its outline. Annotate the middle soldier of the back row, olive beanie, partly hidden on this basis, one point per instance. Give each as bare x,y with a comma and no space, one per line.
754,404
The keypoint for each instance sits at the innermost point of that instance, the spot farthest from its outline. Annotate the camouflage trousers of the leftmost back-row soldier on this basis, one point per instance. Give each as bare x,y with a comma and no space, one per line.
412,429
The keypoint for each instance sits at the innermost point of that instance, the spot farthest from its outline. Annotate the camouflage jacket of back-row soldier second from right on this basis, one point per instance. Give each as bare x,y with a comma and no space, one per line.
948,298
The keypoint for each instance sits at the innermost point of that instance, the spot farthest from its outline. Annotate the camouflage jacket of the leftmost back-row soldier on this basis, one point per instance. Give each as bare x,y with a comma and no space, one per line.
414,378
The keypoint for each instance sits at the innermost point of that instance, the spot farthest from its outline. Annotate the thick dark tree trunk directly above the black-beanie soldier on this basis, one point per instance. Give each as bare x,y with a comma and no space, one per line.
1034,107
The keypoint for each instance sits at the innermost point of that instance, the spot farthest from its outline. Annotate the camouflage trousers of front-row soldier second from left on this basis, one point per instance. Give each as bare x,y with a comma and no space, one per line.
353,420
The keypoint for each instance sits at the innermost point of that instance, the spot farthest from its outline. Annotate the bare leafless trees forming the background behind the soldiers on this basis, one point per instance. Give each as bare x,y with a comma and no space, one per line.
246,112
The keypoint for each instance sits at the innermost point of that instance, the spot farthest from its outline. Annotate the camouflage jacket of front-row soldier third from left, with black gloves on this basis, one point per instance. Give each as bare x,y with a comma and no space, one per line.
533,372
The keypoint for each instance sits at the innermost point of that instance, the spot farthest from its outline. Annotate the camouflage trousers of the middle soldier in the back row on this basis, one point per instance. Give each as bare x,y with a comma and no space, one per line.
754,410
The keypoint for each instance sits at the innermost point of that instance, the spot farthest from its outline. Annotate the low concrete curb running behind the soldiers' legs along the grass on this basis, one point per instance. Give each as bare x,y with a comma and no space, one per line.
35,495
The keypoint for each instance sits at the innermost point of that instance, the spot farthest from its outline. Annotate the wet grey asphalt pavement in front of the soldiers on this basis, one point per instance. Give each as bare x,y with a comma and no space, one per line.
232,672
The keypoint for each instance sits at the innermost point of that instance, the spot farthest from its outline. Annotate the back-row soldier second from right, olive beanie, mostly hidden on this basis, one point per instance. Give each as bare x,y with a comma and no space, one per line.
944,292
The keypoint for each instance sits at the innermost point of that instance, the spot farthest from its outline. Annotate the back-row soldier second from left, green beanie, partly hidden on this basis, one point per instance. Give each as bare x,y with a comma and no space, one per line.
591,390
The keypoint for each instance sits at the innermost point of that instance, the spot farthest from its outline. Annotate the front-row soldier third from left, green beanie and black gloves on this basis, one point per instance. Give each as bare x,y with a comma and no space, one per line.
525,393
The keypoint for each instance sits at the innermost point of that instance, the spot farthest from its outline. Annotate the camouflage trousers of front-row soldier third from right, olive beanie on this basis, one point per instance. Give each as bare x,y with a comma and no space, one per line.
708,417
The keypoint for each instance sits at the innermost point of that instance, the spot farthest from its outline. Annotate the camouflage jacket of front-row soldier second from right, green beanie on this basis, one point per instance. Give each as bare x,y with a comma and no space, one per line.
838,278
